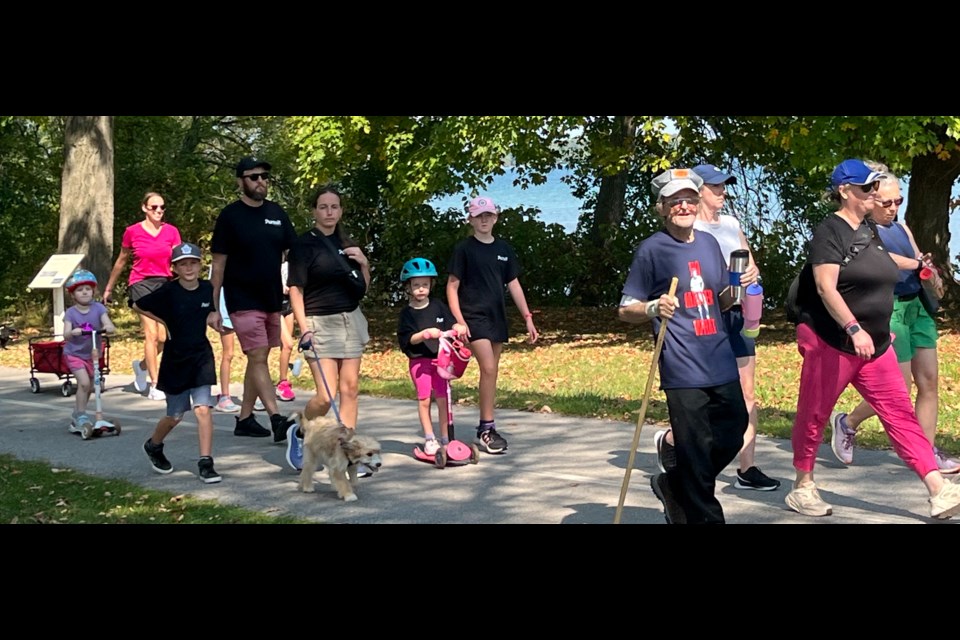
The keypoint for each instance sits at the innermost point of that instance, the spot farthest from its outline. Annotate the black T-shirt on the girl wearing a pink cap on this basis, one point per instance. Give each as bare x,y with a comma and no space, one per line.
484,270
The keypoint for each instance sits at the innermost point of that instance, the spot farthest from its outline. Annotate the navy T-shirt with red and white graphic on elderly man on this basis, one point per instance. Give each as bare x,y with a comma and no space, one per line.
696,349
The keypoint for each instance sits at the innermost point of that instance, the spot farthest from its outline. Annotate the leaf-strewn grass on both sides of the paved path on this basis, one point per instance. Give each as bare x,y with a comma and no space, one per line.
586,363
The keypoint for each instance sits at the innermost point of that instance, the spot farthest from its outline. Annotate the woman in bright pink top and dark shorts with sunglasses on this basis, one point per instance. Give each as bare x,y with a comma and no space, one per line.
149,242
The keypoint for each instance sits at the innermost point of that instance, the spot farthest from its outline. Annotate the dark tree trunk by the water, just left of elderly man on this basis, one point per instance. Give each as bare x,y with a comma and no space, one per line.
607,217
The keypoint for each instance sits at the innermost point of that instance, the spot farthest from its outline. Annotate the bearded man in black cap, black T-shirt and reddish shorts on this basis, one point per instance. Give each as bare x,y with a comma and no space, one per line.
249,241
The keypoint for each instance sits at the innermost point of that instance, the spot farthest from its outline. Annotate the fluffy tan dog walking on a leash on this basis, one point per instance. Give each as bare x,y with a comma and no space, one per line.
337,448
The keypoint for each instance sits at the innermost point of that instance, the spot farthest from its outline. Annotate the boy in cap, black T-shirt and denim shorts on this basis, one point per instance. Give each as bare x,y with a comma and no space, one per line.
187,369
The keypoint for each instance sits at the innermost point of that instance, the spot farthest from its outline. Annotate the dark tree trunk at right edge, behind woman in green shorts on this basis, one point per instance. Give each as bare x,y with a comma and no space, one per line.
928,210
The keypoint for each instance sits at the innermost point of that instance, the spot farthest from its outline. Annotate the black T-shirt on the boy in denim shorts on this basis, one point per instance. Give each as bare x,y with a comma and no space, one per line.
187,361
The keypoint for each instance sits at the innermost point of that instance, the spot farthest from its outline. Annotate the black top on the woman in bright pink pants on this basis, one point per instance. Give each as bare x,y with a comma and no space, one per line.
866,284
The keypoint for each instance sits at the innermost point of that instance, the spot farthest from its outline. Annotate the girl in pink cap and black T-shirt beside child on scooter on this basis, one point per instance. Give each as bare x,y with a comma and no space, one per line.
480,268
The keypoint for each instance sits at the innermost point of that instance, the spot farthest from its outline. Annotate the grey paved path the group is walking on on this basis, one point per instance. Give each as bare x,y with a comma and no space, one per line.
558,469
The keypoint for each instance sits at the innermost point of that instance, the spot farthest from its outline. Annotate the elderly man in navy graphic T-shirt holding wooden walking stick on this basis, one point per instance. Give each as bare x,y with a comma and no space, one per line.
698,370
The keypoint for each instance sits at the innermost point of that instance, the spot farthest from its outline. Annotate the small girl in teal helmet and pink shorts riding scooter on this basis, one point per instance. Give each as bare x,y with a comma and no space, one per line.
418,332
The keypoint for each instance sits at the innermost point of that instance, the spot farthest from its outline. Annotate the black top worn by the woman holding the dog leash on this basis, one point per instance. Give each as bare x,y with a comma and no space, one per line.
321,274
